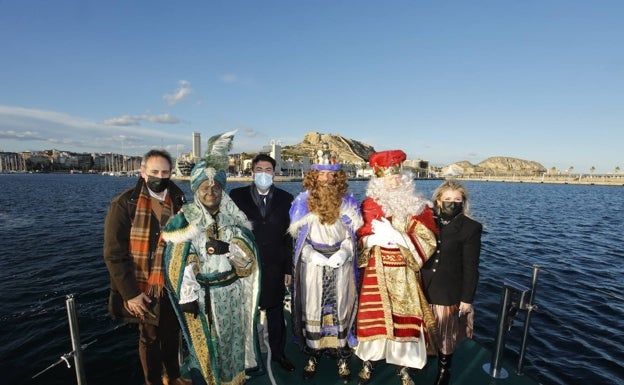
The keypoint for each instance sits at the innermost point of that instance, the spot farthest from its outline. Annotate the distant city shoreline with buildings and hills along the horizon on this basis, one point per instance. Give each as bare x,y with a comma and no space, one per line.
294,161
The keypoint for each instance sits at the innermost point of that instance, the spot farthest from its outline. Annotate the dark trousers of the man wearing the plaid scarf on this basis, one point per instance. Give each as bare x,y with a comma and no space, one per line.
158,345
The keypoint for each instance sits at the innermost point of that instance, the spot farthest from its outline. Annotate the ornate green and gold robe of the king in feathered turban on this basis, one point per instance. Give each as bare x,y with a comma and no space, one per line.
222,338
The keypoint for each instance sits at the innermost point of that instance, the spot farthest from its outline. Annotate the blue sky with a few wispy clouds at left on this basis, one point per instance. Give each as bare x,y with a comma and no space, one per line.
445,81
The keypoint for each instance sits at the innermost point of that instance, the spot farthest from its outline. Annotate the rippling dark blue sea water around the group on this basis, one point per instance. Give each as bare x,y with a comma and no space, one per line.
51,246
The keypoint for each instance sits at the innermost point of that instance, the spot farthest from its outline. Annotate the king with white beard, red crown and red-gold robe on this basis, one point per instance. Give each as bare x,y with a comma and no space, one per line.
394,321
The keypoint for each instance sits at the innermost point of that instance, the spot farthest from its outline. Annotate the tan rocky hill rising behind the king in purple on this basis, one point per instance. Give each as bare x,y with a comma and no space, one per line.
344,149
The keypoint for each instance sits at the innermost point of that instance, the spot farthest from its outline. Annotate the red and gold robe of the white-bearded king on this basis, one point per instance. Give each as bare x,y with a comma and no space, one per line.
394,320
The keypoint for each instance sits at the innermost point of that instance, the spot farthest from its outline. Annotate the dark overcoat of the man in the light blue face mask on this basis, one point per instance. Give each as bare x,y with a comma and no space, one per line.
274,242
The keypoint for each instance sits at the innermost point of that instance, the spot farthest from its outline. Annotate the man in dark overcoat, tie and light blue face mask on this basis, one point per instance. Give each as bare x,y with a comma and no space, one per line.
267,207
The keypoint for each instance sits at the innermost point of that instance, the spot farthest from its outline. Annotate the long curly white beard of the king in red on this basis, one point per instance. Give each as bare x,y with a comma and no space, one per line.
400,202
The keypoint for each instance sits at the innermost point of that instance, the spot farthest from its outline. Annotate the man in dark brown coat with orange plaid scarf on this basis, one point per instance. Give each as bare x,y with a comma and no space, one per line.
133,252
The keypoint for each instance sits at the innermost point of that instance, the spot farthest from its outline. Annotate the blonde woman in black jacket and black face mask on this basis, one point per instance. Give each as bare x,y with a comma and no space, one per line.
450,277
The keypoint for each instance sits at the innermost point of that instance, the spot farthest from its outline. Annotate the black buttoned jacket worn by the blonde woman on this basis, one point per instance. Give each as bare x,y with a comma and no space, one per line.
451,275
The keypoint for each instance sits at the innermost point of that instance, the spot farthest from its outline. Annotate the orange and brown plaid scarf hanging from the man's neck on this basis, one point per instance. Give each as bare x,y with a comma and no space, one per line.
149,273
